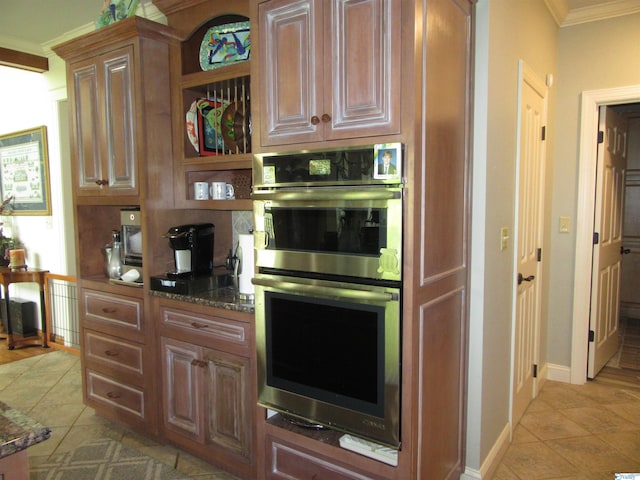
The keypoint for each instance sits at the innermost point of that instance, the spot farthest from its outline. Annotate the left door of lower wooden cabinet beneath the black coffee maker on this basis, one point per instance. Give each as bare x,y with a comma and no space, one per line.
182,397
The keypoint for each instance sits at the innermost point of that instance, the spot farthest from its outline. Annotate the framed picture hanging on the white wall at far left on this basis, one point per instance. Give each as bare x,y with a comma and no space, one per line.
24,171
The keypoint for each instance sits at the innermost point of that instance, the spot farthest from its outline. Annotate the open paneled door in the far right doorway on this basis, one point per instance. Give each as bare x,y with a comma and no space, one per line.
607,256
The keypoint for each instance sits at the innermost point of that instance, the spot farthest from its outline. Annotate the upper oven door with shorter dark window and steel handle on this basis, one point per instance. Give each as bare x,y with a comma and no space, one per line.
354,232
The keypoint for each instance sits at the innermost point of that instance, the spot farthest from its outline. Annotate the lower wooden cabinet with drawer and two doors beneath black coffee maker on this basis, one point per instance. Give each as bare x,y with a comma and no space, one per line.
208,378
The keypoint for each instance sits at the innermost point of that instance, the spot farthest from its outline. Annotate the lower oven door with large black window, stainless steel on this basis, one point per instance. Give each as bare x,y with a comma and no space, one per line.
329,353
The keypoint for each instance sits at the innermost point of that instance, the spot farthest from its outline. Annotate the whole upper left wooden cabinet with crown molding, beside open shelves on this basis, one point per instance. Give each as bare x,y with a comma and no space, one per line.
117,86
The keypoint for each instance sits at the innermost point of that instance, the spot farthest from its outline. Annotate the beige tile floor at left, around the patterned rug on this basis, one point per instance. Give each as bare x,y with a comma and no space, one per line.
48,388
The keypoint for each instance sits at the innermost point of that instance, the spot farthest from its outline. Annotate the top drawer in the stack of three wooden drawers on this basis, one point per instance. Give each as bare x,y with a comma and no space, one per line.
112,310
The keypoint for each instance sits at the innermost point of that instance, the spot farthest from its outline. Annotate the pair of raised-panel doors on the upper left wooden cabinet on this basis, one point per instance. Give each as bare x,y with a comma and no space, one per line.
104,124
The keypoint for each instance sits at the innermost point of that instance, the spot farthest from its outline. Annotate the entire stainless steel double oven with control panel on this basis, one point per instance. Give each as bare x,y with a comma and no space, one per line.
328,239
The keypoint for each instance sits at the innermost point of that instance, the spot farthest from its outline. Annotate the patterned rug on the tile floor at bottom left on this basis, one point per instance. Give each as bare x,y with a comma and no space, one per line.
104,460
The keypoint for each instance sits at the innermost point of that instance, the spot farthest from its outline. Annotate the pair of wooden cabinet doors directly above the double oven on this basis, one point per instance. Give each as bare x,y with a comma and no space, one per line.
329,70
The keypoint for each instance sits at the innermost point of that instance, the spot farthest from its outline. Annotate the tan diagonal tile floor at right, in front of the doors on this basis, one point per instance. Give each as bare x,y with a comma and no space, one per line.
576,432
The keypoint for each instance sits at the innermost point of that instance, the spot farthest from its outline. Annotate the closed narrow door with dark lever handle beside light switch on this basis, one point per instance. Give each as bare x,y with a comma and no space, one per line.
530,166
